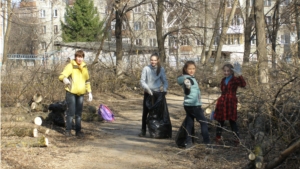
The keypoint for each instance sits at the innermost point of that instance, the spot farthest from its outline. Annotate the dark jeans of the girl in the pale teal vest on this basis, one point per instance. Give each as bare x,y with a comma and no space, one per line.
196,112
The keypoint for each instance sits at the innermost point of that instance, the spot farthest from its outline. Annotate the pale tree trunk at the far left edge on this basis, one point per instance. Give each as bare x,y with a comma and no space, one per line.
6,36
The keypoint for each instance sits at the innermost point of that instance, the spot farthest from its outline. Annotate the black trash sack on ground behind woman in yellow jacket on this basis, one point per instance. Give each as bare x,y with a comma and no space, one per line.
57,114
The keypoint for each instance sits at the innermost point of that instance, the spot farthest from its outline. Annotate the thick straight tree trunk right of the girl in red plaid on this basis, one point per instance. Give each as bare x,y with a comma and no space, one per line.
261,41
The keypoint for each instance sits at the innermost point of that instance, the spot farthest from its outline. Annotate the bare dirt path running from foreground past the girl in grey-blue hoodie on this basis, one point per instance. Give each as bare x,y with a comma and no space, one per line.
122,148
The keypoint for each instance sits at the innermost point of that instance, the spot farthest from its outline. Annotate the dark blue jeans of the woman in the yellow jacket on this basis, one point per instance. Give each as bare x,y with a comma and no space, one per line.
75,104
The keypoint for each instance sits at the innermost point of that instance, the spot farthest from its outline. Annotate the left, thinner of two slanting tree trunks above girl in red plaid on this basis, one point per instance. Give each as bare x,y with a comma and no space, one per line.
216,29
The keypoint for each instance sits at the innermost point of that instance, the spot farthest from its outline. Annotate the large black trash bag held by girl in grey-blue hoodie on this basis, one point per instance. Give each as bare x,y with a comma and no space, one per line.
158,120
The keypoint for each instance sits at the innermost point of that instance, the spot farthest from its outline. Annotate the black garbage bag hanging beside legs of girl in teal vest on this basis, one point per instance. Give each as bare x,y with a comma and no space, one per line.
182,134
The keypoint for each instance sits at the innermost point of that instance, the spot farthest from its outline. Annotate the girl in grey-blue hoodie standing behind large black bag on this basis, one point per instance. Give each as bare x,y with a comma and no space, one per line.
152,79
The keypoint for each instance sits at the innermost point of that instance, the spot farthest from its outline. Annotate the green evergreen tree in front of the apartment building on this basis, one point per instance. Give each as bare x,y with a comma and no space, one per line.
82,23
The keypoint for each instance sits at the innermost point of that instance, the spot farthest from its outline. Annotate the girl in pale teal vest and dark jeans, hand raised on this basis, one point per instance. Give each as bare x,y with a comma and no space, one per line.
192,103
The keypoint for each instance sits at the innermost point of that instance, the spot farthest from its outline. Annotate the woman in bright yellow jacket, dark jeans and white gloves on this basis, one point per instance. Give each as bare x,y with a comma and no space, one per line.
76,78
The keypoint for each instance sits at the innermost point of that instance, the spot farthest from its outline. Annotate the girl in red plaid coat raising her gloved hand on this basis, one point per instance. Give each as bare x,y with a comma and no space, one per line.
226,107
